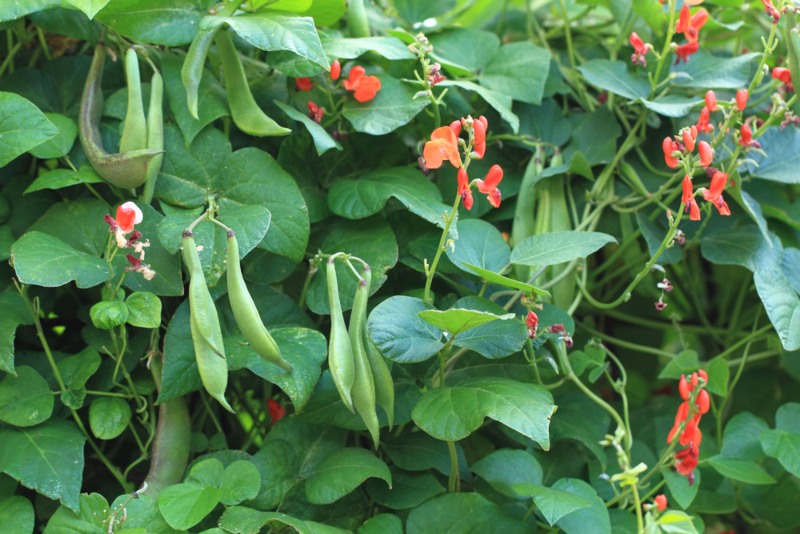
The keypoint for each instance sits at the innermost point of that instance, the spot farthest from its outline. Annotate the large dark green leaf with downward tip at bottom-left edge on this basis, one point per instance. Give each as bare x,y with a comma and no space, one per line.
47,458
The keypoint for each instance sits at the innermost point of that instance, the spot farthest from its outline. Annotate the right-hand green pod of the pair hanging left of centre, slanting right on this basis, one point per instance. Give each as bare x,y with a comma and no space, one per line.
246,313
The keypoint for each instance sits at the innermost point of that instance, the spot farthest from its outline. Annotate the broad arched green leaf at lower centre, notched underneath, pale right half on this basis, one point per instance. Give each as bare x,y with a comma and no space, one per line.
453,413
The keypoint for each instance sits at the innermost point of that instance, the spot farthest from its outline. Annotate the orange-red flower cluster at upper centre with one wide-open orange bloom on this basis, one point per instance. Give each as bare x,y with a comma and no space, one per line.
443,146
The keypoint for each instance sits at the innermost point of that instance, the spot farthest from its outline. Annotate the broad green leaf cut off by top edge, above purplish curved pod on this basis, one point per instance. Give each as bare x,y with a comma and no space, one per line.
160,22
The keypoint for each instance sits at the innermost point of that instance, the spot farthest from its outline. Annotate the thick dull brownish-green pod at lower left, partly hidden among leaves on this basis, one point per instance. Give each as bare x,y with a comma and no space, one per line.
172,443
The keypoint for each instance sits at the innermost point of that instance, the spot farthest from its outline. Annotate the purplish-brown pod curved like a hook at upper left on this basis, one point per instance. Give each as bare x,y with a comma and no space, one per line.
126,169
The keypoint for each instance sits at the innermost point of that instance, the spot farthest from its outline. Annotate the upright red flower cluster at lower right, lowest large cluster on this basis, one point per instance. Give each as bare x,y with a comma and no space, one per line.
695,403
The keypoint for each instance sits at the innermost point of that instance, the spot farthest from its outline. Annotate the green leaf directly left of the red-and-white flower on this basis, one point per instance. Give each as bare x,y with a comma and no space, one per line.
43,260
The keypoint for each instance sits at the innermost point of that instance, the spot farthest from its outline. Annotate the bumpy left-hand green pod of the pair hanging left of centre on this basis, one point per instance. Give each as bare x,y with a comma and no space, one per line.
204,322
